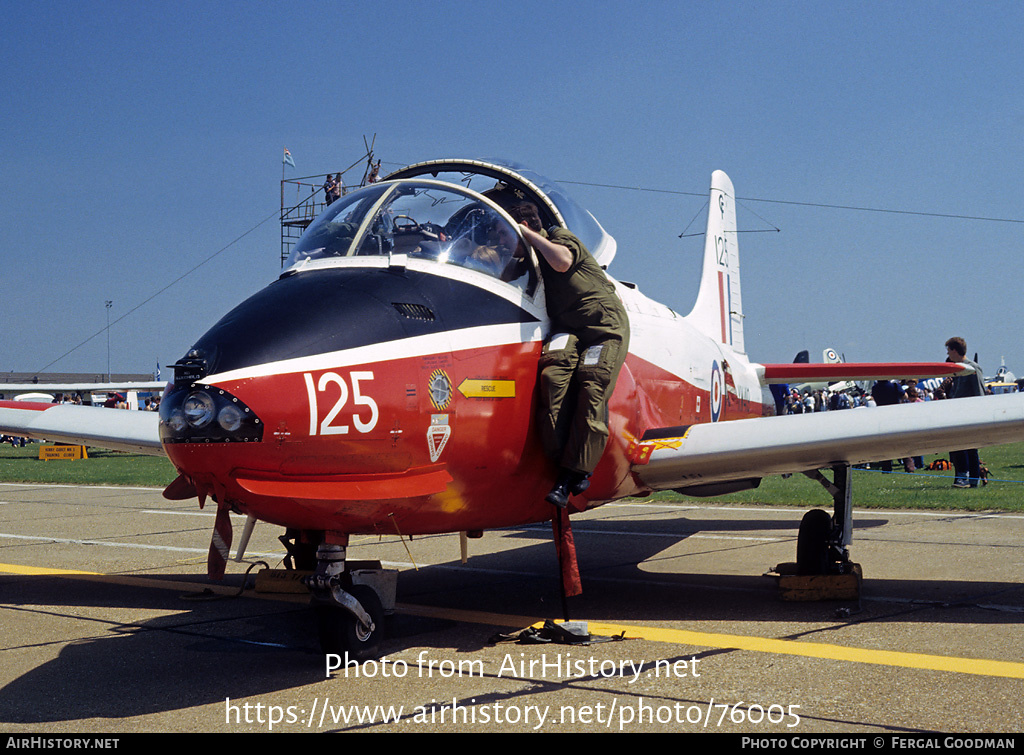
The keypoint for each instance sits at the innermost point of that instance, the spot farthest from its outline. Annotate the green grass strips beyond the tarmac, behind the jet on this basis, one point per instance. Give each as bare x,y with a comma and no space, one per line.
872,489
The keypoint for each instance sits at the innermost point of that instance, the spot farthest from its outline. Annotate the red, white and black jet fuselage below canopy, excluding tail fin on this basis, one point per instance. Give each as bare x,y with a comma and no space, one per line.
387,423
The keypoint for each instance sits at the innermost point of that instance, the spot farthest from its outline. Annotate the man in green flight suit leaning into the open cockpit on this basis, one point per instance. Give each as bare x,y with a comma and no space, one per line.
590,335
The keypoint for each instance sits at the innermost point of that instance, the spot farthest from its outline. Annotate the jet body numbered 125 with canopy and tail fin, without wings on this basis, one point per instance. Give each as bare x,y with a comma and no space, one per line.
388,382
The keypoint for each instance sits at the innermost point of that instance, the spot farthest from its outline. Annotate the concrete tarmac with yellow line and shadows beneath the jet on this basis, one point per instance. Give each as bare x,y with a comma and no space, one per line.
107,628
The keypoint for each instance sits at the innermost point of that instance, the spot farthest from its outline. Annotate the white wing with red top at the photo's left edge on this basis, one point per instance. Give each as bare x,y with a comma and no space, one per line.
109,429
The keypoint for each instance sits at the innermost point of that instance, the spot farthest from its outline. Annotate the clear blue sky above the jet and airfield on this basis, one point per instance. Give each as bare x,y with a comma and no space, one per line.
141,139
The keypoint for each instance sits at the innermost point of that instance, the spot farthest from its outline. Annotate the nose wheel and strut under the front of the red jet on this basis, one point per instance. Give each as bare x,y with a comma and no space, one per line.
351,601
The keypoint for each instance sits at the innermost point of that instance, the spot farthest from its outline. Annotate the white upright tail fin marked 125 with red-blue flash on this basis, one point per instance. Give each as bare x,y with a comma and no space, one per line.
718,312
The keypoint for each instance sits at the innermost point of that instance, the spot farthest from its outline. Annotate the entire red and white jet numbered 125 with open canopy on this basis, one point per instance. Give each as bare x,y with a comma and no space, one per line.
387,383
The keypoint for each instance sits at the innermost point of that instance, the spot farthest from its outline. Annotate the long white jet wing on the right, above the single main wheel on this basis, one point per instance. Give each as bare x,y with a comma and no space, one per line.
754,448
